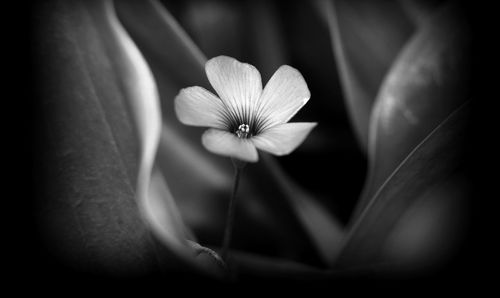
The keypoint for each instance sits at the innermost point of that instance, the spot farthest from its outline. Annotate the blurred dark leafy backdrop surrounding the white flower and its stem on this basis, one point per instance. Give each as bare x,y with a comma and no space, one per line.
381,189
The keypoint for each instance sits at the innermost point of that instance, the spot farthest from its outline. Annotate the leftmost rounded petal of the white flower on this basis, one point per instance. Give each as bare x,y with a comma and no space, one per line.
199,107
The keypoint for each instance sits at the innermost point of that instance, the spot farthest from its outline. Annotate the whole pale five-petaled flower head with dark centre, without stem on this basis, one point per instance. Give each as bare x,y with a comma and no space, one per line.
246,117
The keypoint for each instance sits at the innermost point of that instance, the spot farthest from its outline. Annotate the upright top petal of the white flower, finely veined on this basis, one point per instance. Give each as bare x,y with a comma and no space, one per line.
239,85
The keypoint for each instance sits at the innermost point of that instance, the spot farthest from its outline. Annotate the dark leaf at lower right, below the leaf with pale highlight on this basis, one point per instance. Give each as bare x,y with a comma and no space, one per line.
425,180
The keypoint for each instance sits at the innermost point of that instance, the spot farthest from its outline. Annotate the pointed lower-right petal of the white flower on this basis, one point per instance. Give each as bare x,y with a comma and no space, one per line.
282,139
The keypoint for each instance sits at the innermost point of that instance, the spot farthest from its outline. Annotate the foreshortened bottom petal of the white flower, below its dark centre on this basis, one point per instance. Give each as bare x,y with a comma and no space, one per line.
225,143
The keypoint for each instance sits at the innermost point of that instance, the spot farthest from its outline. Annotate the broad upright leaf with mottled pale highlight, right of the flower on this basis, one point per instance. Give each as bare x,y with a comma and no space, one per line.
428,81
